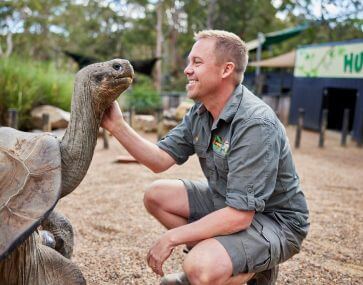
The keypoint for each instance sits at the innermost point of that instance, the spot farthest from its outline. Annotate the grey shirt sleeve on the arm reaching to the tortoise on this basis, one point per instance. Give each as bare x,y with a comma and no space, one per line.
178,143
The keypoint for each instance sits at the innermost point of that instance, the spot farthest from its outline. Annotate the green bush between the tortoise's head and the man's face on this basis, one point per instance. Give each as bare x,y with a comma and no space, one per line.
143,97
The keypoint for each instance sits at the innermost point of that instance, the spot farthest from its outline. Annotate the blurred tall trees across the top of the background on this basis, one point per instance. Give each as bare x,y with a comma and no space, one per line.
43,29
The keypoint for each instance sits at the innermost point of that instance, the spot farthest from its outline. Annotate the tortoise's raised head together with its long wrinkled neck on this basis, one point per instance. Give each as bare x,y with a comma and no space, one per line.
103,82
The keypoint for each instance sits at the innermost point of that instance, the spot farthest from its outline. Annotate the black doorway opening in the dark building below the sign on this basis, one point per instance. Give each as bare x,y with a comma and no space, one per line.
336,100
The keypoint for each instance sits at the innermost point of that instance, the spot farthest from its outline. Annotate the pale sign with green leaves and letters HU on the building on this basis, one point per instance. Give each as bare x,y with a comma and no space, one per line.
338,61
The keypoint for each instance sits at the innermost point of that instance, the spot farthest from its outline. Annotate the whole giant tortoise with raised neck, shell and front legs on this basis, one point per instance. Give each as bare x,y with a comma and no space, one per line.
36,170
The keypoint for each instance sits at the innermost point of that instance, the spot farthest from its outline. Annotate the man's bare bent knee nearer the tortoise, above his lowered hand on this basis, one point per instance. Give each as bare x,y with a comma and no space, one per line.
167,201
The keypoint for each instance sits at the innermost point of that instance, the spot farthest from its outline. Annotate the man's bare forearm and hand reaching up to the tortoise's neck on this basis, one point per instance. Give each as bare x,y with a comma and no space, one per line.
143,150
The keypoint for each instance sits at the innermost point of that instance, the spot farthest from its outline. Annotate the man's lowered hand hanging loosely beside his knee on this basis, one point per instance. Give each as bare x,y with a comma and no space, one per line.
158,253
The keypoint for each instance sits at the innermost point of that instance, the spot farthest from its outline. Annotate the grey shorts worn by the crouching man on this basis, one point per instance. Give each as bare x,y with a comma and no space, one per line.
262,246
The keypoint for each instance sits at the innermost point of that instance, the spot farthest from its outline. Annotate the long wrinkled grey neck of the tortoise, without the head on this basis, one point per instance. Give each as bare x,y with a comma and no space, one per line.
79,140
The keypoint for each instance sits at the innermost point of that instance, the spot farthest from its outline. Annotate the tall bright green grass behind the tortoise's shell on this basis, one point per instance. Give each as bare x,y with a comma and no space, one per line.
26,84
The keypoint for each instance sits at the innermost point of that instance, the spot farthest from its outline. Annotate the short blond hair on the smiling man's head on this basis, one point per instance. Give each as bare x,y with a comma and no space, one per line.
229,47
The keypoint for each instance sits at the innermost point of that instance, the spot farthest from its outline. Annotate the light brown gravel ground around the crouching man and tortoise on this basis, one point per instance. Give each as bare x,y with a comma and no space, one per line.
113,231
